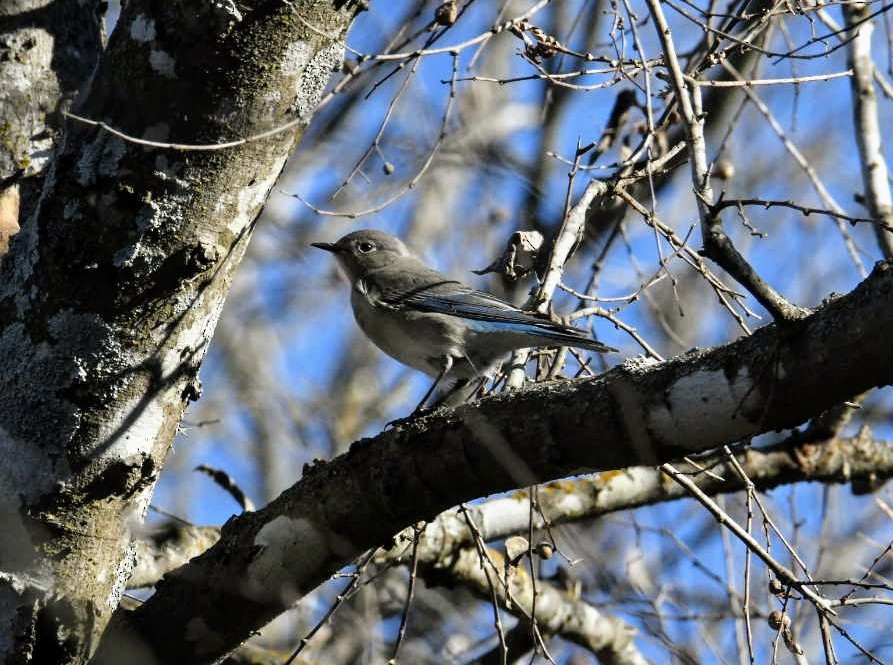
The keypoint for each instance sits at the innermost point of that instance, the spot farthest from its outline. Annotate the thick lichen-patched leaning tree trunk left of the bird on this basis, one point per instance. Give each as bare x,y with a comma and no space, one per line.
108,299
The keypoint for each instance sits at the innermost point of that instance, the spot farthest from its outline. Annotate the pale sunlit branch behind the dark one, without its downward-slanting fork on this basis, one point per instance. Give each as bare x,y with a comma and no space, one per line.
863,461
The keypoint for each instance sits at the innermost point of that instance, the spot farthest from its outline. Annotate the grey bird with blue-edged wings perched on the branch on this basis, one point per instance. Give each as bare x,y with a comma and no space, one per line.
433,323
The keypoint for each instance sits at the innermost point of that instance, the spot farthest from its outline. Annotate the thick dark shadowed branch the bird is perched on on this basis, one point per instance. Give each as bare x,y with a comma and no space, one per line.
638,413
